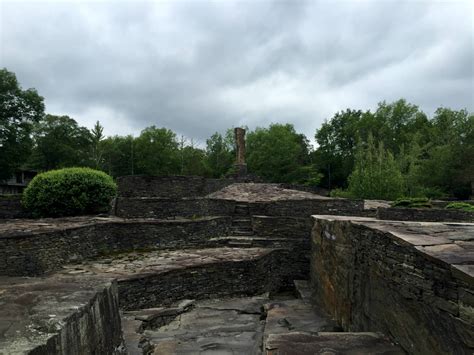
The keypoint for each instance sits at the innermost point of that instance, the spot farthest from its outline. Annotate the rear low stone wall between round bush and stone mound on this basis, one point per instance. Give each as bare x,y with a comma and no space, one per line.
169,186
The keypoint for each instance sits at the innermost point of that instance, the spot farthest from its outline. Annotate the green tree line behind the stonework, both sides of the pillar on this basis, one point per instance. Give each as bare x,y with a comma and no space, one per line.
397,150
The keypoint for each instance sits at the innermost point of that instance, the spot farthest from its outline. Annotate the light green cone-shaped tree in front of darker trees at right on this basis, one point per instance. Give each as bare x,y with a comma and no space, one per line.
376,174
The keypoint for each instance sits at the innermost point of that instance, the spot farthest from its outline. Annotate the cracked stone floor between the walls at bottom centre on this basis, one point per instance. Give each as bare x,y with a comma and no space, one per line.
244,326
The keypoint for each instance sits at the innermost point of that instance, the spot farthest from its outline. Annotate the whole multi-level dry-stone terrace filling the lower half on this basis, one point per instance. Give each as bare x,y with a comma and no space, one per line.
209,266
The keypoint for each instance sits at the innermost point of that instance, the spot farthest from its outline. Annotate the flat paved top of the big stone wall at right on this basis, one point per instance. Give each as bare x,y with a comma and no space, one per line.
446,242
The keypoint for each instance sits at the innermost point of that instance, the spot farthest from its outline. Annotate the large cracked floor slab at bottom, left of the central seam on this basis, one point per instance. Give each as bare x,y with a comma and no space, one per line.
227,326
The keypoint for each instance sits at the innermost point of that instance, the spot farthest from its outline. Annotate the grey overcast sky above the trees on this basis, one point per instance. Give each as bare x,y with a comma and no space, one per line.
198,67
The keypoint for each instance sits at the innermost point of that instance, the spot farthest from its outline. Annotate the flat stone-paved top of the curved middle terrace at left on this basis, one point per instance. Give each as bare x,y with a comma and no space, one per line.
136,264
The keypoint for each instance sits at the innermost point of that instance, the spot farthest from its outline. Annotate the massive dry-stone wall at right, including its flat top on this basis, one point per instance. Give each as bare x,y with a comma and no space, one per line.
397,279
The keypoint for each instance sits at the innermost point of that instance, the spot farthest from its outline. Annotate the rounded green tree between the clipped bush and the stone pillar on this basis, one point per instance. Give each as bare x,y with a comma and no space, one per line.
156,152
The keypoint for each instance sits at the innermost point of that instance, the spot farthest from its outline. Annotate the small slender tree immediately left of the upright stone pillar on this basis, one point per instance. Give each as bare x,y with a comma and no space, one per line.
219,155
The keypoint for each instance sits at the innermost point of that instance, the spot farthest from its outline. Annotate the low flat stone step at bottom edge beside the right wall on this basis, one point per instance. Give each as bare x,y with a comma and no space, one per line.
330,344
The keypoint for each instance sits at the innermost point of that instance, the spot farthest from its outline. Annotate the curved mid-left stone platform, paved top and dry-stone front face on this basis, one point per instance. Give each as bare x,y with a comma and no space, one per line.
161,277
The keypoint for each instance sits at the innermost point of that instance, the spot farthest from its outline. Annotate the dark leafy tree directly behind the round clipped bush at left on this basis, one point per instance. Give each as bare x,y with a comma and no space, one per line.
60,142
